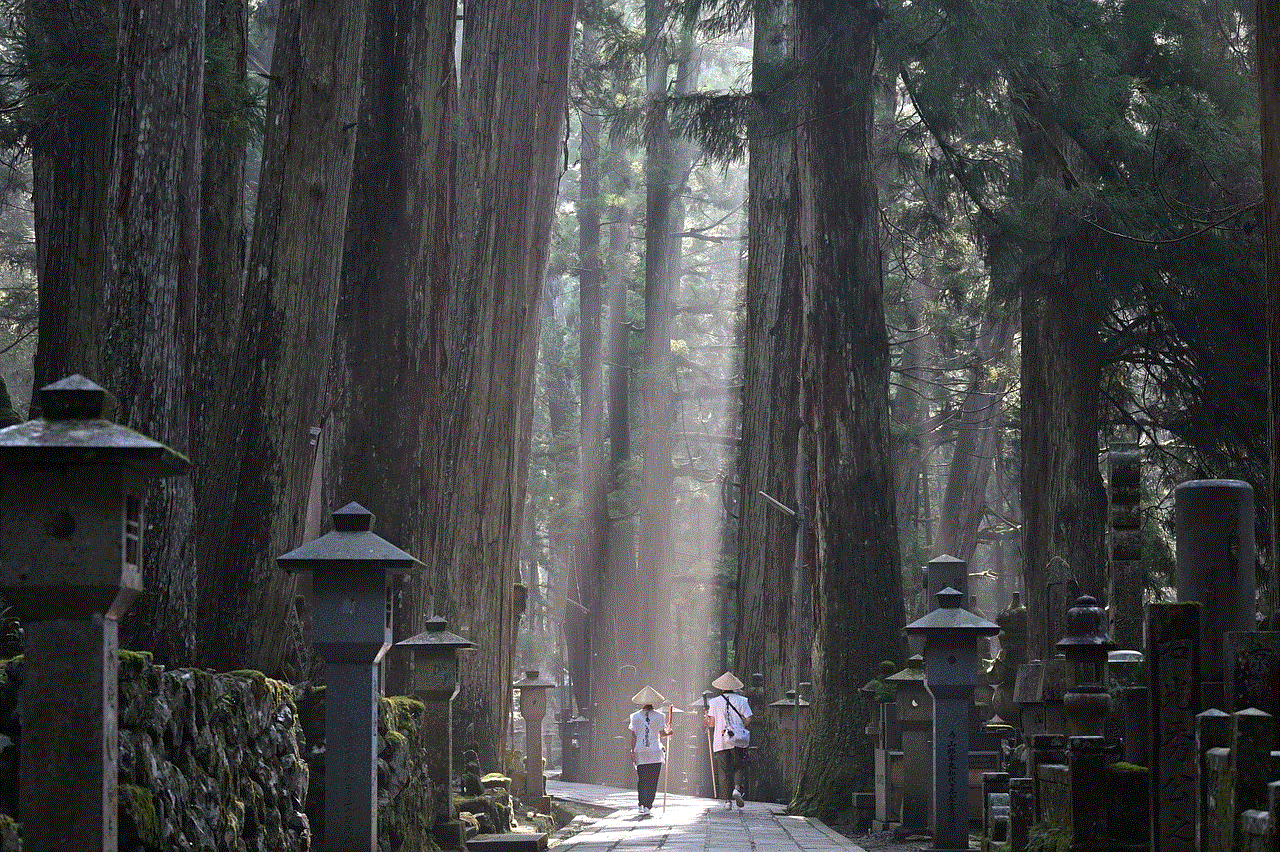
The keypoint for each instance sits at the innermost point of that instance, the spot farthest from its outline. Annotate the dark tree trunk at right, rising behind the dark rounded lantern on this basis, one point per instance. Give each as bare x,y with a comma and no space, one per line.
1063,500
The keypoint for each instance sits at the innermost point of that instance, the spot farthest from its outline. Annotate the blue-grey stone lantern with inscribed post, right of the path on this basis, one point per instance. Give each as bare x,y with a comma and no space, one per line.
950,674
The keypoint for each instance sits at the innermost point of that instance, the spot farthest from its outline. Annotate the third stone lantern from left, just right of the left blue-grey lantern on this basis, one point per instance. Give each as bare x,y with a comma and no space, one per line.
433,662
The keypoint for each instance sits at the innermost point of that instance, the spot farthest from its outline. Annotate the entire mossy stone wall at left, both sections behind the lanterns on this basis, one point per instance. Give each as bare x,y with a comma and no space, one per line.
225,763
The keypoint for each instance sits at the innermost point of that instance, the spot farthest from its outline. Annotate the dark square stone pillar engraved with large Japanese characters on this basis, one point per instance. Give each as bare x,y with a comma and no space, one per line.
1174,695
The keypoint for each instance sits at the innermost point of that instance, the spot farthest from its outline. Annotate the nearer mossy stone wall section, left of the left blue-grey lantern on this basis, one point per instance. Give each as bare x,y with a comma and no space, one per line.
208,762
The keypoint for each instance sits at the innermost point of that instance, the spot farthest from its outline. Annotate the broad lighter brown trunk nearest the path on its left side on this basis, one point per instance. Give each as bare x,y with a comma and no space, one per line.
510,130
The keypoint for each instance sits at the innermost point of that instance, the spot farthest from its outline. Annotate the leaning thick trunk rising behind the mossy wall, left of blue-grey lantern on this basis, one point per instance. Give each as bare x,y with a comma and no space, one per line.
286,332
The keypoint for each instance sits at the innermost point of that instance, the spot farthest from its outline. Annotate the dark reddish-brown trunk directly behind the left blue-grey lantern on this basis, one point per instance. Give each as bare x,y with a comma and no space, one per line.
388,355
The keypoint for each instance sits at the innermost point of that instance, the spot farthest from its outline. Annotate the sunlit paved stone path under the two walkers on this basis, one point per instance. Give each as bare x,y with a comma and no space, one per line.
691,824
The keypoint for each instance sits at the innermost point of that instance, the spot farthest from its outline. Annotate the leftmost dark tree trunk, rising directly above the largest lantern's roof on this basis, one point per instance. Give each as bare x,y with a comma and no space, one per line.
71,161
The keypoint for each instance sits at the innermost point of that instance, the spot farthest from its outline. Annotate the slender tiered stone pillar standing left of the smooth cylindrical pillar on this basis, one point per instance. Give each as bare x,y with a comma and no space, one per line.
1124,525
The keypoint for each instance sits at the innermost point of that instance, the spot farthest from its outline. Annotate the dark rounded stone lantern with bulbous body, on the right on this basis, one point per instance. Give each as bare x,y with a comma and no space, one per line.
1086,648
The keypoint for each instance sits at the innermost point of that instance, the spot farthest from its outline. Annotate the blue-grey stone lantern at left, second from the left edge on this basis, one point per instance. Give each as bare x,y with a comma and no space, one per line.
351,571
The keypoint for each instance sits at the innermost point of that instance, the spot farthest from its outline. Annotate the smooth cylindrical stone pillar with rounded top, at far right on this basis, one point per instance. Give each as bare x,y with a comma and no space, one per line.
1217,567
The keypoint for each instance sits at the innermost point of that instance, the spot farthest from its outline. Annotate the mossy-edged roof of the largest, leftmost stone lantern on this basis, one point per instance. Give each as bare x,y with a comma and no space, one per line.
75,432
